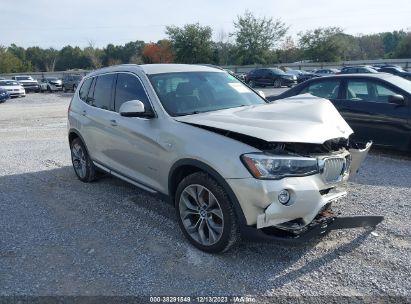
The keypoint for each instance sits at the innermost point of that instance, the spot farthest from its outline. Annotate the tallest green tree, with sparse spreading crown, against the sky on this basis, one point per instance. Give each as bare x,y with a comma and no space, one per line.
255,37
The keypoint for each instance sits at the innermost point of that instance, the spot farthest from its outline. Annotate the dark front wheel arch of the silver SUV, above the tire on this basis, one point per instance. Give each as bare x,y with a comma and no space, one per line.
185,167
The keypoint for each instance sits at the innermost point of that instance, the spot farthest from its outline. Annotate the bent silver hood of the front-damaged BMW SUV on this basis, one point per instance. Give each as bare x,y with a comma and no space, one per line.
303,119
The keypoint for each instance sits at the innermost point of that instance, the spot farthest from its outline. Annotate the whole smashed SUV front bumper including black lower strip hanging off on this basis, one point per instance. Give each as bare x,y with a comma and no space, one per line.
309,209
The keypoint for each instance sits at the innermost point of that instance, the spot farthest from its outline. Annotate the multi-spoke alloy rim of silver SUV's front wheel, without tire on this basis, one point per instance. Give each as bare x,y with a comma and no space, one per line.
201,214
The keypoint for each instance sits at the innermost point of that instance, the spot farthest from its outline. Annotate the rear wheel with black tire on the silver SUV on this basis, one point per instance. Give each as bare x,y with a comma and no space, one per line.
82,164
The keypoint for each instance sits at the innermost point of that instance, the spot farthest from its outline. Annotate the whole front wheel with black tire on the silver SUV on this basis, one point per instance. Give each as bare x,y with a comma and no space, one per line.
217,213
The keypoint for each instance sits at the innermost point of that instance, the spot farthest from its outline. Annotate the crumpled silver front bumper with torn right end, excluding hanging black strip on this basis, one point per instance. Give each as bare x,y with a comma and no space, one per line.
309,195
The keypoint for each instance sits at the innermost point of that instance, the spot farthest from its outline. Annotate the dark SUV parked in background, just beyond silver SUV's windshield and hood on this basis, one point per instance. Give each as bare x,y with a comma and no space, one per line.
270,77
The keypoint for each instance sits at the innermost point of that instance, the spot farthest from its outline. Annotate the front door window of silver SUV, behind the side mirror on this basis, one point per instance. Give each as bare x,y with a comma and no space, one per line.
128,88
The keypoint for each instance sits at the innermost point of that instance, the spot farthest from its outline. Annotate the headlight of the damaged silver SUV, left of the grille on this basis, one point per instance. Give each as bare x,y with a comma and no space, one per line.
264,166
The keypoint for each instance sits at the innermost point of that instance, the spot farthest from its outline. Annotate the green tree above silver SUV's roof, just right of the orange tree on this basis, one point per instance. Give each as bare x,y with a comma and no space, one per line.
191,43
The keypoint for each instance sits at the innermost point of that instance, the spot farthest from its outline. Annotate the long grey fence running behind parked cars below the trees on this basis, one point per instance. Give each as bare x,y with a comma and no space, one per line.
404,63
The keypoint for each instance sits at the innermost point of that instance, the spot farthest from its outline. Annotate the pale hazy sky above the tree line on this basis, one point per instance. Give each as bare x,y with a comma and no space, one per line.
47,23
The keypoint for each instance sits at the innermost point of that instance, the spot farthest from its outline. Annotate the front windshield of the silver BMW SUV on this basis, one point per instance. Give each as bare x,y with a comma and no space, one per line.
185,93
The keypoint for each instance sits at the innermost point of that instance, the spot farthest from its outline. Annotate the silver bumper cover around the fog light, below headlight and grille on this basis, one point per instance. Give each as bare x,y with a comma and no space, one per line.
259,199
